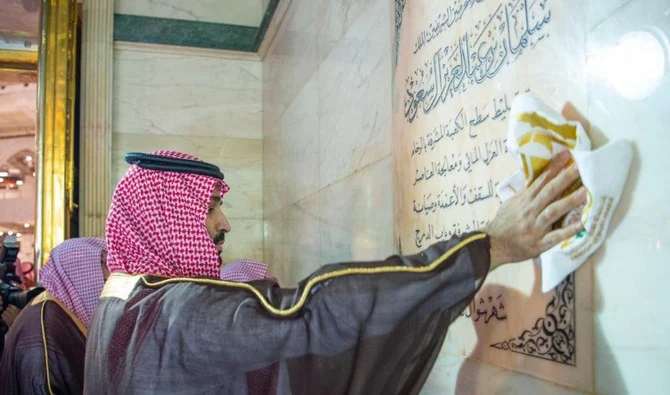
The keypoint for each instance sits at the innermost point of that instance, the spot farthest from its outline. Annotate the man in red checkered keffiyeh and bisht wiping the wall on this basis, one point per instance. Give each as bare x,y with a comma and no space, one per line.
165,324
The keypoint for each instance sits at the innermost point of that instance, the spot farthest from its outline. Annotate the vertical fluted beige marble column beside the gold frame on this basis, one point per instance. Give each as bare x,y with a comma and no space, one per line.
96,116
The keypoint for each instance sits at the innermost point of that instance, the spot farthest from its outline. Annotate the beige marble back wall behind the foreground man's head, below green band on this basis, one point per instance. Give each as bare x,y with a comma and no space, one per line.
204,103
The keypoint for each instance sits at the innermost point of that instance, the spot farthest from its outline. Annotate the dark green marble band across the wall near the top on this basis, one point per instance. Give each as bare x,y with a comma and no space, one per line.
150,30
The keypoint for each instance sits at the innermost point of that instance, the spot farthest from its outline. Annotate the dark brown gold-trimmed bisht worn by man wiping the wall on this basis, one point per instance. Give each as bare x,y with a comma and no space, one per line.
349,328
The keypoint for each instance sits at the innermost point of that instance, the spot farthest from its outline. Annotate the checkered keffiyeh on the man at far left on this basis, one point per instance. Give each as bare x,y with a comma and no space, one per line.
73,275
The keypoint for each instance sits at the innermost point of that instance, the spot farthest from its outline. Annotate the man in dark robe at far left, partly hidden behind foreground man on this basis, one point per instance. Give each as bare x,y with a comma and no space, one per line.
45,346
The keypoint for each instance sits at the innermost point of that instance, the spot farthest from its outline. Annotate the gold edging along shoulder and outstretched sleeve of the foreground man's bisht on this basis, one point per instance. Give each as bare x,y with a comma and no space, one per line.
321,278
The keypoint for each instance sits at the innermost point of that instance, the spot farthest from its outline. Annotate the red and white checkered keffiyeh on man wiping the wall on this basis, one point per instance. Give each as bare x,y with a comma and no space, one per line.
156,223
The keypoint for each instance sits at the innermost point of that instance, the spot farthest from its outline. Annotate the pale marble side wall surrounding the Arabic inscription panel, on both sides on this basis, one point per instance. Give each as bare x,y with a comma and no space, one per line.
327,185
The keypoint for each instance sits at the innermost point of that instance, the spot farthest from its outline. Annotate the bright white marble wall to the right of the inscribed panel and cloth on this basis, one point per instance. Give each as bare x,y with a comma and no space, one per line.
626,100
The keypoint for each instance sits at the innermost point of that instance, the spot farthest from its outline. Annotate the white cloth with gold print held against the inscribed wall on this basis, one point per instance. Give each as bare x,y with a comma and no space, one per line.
536,134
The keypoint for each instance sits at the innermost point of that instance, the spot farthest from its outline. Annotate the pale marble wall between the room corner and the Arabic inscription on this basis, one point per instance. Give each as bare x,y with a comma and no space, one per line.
327,130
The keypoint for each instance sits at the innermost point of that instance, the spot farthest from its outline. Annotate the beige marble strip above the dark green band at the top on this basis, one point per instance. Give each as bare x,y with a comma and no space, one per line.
232,12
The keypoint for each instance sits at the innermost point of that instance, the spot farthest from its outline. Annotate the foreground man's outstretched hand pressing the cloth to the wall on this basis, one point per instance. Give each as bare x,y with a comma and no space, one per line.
521,229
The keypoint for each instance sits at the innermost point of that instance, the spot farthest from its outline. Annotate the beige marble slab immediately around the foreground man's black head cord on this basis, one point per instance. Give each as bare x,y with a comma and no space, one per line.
239,159
